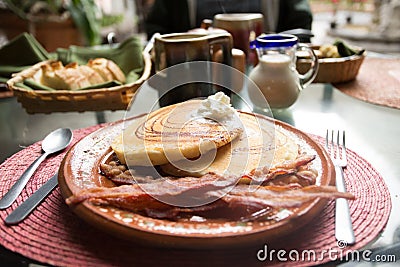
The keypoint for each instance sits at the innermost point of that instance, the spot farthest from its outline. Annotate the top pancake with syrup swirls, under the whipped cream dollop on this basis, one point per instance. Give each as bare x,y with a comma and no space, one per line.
175,133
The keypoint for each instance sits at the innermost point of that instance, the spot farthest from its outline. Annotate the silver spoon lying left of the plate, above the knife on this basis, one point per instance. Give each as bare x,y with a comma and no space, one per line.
54,142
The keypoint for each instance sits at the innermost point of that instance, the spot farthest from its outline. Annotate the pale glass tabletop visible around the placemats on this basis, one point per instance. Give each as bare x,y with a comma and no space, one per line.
371,131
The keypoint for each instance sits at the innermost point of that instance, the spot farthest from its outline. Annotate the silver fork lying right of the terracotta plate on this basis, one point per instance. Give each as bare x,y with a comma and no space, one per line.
343,226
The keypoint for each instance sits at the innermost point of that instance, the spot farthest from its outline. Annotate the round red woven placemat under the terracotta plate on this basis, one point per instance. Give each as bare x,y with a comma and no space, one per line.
52,234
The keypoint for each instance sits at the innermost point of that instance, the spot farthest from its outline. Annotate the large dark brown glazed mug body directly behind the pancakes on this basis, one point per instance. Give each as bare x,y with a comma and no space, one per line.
177,48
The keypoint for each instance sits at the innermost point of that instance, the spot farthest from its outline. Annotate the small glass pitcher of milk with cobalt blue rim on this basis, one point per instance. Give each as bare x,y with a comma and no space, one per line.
275,74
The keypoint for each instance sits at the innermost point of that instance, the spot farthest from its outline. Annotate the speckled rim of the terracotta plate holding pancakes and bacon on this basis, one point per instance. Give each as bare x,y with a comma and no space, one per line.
80,170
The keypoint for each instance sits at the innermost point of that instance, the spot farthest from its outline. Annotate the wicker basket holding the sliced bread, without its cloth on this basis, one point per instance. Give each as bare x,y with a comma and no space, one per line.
41,101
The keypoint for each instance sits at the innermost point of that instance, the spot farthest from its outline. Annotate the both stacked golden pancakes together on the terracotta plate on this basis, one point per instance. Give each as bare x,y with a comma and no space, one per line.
184,142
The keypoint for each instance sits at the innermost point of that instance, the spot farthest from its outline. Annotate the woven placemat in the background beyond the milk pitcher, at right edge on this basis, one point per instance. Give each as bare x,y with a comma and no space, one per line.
378,82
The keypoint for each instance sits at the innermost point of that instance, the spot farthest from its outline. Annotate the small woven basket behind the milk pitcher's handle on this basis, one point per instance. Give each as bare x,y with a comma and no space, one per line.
333,70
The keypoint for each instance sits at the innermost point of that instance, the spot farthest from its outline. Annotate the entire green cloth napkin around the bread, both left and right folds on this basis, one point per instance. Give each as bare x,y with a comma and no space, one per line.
25,51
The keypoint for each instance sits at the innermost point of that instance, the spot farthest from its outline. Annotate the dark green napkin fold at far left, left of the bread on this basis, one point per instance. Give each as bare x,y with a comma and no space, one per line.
20,53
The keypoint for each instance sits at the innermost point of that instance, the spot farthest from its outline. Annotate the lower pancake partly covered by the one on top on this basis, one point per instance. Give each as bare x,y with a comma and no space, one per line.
261,144
